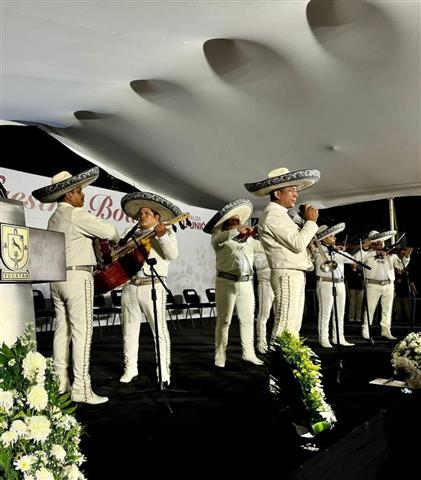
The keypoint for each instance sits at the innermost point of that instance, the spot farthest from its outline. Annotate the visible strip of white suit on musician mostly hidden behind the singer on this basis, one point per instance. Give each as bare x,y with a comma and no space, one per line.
265,298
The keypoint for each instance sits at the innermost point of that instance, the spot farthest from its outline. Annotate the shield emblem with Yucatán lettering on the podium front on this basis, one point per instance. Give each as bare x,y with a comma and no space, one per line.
15,252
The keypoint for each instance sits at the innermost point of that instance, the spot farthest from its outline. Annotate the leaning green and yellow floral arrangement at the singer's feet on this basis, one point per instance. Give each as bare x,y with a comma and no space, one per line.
294,363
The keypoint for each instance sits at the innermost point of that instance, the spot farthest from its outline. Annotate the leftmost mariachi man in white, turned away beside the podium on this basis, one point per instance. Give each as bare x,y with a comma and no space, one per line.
73,299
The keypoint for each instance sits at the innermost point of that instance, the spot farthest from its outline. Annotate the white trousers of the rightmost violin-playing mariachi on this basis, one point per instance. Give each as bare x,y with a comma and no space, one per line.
385,294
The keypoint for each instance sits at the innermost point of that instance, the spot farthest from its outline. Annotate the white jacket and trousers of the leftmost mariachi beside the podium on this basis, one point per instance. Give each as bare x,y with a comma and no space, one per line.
73,299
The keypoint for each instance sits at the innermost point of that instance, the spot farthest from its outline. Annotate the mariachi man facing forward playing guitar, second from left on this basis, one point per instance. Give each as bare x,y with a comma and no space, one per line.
151,211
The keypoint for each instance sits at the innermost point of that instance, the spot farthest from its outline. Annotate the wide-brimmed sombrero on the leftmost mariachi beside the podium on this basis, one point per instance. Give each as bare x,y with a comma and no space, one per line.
64,182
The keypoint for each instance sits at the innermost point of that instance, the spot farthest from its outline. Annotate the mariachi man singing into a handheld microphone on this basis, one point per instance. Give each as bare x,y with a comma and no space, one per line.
285,244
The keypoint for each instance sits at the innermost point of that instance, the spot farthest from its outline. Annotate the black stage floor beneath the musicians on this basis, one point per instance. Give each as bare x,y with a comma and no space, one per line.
223,421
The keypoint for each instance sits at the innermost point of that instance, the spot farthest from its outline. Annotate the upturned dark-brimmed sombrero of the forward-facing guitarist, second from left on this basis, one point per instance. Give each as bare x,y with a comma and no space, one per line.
134,201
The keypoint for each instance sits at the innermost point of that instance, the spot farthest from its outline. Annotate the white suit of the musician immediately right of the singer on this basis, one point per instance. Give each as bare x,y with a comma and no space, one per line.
324,291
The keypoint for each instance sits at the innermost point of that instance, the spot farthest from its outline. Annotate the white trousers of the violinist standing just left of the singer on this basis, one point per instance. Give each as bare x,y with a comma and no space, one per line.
230,294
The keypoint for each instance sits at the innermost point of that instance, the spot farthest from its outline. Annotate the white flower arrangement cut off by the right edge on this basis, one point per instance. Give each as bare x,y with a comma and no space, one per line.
406,359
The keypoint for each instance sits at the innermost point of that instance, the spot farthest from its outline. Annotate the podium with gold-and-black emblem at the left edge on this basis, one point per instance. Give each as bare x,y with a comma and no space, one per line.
27,256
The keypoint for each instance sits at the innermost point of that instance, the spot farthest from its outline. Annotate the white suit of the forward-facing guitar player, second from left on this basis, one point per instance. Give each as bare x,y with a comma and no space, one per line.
136,299
